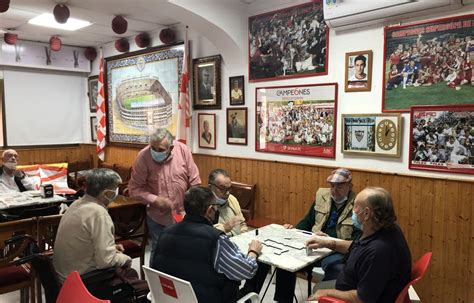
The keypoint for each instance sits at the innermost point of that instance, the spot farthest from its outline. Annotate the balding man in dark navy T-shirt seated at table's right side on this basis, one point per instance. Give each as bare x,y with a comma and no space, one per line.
378,265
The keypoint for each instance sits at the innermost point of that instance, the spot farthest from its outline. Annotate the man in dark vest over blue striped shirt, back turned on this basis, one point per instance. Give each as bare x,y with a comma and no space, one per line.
195,251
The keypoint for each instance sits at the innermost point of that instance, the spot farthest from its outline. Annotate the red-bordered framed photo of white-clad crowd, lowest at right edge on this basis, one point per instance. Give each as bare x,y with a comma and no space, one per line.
442,138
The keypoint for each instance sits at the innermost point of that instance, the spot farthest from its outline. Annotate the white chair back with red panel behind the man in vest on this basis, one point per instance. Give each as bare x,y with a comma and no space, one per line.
168,289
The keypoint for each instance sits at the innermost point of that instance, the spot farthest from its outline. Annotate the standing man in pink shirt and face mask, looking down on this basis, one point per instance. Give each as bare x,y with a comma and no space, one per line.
161,174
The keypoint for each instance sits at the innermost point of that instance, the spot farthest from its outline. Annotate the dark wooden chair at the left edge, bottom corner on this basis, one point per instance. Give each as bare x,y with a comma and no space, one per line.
13,277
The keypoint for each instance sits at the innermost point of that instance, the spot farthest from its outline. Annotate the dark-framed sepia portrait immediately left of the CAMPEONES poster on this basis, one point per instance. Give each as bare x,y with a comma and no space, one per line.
237,126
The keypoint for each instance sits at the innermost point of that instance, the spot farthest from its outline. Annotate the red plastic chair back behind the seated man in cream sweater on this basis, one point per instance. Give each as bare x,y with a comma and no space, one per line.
74,291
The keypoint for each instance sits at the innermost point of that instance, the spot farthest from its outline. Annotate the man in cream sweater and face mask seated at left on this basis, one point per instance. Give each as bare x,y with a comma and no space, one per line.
85,238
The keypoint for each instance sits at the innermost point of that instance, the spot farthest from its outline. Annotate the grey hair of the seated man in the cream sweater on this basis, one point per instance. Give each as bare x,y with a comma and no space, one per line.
98,179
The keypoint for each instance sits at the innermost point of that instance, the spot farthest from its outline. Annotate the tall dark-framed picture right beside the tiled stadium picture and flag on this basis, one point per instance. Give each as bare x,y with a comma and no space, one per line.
207,82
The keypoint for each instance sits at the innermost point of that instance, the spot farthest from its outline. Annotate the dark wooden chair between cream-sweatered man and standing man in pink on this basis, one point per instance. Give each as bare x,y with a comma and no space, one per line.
131,230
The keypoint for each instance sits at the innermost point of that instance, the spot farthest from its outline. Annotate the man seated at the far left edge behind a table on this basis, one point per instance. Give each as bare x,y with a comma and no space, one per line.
12,179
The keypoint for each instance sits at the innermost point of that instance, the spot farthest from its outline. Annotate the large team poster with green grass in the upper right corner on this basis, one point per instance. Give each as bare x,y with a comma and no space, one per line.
428,63
